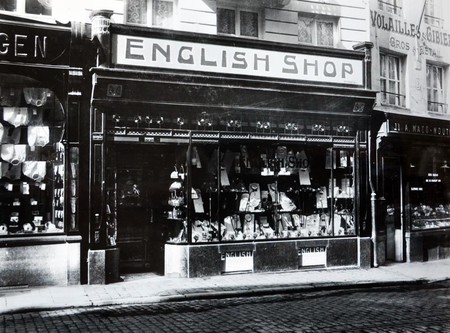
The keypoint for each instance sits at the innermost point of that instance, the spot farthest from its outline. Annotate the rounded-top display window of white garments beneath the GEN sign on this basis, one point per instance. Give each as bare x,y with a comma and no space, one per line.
32,179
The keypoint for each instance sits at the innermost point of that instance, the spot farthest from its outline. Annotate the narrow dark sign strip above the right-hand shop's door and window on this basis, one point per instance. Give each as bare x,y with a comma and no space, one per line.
415,127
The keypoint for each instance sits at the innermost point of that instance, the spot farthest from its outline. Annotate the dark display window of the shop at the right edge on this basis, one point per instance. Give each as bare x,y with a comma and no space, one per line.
428,185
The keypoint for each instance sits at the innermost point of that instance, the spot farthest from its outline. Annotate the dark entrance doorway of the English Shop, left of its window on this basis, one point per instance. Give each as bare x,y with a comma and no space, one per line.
142,180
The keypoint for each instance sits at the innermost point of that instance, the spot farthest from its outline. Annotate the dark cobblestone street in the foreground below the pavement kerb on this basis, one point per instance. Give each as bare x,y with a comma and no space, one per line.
407,309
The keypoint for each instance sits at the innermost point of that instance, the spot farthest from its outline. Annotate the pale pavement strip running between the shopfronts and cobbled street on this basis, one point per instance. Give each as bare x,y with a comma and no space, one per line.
150,288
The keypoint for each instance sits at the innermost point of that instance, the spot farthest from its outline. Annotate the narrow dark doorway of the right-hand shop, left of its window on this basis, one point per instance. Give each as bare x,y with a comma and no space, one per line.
393,193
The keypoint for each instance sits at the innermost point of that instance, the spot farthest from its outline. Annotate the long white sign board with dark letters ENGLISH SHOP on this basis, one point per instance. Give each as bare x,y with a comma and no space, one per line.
170,54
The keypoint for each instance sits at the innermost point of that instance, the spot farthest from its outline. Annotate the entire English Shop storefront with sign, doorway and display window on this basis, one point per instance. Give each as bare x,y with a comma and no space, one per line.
215,155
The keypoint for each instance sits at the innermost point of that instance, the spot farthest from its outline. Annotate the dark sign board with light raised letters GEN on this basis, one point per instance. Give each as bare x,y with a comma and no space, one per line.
36,44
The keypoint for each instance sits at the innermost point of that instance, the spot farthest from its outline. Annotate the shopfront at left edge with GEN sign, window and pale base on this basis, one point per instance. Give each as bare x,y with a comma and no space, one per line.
39,235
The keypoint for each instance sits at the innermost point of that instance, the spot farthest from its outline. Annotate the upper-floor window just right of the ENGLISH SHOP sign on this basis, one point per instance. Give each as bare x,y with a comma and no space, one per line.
391,80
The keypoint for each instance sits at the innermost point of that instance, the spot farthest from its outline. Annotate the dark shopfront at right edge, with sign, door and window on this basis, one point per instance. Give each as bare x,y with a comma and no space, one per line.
413,153
